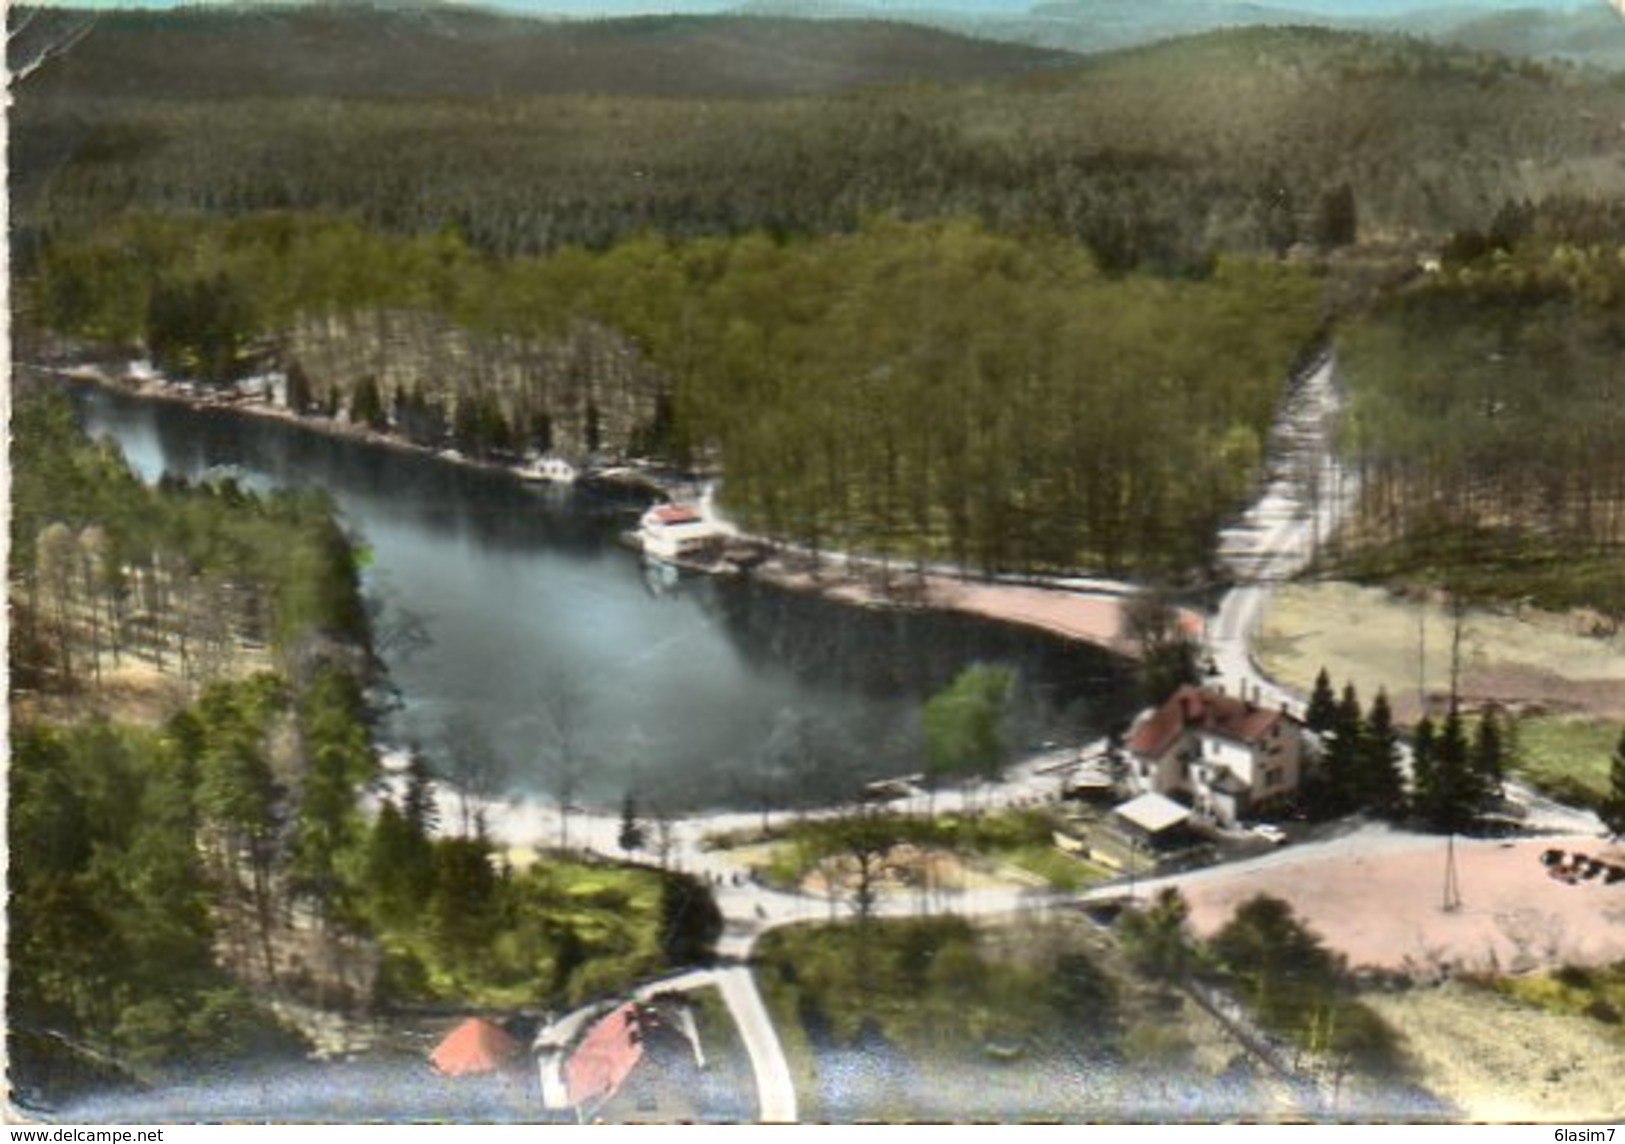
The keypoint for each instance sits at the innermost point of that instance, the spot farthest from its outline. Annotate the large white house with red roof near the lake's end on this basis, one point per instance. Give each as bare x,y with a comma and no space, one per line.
1226,755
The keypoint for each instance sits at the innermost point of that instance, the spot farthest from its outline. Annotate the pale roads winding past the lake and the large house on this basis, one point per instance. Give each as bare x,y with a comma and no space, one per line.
1275,540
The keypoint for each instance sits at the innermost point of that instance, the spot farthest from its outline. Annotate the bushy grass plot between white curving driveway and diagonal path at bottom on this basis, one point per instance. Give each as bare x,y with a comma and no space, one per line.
1041,1018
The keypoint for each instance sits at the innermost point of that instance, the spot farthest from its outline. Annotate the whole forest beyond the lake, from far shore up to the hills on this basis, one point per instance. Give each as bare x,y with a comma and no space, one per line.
1057,272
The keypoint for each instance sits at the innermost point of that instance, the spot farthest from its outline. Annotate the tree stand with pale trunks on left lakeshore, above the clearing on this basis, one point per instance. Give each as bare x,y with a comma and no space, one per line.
106,571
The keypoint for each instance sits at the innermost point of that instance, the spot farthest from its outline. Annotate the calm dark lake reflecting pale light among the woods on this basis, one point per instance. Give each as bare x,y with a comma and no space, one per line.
704,693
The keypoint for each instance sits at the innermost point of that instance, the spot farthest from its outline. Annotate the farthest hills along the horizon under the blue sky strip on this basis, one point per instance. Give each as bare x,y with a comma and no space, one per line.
768,48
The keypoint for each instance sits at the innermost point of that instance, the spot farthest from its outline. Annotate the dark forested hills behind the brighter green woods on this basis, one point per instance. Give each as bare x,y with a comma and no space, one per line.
1233,141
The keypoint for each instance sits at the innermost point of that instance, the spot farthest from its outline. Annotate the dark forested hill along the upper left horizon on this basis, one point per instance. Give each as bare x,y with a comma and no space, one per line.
441,51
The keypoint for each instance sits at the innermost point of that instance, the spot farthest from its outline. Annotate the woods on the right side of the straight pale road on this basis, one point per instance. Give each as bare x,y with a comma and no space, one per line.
1488,415
